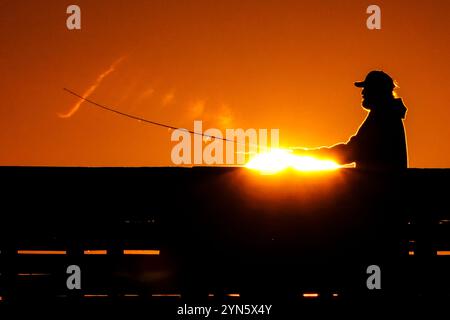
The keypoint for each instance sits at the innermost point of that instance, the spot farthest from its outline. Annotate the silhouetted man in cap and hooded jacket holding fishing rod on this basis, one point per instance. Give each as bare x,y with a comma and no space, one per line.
380,142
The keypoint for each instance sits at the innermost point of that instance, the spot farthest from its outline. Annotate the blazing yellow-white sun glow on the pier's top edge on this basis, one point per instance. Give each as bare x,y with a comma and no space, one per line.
277,160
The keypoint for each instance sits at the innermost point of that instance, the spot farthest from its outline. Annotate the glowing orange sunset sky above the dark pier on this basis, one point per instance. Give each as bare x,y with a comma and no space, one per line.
233,64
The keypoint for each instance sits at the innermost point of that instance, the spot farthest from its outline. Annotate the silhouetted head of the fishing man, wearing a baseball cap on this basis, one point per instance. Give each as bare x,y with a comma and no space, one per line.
378,88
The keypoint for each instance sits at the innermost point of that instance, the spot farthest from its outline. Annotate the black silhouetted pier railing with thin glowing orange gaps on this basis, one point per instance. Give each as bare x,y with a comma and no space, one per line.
222,234
